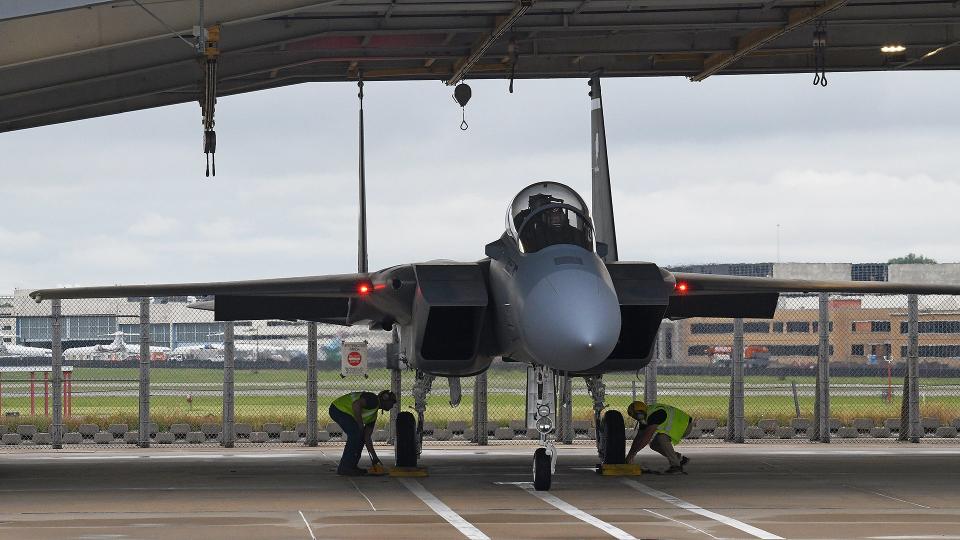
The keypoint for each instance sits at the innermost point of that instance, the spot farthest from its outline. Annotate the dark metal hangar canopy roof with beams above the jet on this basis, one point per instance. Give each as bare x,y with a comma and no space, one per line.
63,60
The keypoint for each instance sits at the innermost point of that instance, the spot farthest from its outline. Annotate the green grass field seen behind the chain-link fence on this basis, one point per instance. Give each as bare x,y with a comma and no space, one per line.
702,396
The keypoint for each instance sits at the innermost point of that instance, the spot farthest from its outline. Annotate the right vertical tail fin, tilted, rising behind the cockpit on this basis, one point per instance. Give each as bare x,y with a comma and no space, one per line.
602,210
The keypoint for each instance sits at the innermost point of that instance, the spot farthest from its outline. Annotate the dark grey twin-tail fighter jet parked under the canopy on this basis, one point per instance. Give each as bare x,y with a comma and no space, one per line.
551,292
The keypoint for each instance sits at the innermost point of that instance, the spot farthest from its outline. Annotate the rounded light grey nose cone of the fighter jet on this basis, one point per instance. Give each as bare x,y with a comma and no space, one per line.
571,320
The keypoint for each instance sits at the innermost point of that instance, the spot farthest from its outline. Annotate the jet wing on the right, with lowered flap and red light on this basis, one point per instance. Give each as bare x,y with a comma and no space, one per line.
710,295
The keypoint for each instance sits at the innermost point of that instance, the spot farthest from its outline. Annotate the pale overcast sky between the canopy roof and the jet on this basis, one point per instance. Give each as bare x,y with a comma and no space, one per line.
863,170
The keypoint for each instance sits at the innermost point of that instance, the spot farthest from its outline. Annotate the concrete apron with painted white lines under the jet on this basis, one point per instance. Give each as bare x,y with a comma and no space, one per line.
882,492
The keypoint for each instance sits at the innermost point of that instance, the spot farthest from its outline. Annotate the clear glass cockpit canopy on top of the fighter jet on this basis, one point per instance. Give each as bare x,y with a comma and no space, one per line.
549,213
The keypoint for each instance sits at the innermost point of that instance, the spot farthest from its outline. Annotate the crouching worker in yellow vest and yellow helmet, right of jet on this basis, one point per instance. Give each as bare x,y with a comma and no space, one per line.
662,426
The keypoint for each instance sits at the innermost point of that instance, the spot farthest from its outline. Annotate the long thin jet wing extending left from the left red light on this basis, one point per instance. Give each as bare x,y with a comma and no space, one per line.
332,286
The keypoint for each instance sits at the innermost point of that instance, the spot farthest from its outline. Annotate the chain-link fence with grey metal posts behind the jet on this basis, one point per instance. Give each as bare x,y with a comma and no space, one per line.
175,390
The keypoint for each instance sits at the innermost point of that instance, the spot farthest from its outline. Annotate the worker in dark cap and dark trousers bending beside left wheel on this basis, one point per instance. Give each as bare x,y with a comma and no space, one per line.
356,413
